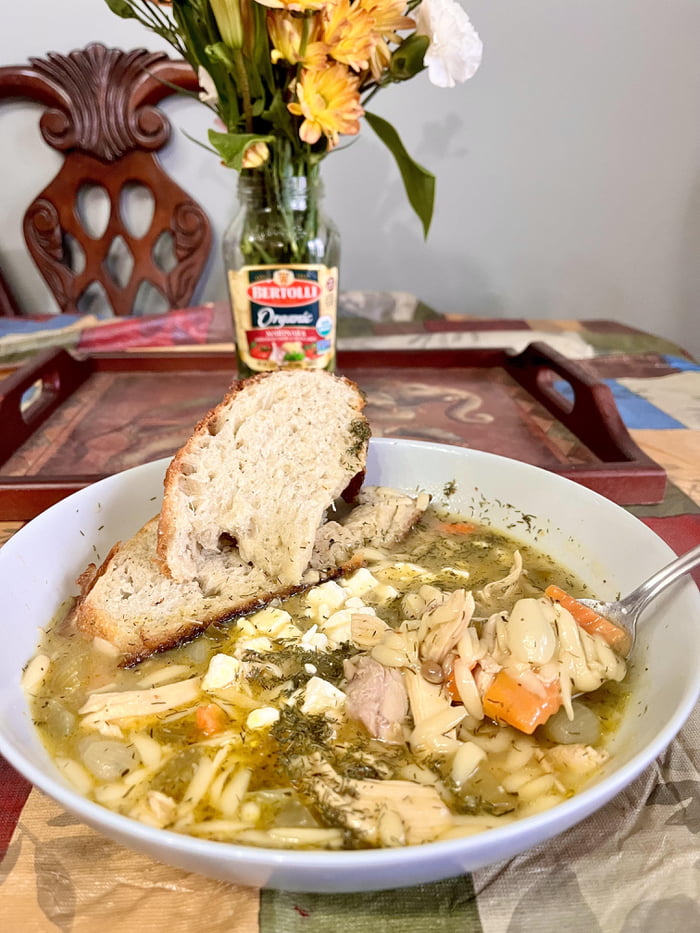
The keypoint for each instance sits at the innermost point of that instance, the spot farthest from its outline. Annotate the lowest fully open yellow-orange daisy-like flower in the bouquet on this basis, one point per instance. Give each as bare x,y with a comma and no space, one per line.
329,101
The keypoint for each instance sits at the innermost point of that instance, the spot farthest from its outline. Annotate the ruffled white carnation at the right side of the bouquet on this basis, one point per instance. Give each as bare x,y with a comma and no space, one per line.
455,49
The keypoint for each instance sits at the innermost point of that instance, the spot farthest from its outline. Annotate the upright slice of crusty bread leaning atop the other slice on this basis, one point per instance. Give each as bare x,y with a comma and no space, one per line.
261,469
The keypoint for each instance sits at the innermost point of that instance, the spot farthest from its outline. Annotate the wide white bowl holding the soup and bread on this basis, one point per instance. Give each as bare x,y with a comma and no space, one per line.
605,545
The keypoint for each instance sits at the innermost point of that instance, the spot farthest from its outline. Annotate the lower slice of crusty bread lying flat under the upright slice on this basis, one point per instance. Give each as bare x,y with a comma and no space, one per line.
133,604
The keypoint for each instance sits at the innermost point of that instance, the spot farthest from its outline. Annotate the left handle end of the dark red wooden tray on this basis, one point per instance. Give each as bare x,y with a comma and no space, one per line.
34,392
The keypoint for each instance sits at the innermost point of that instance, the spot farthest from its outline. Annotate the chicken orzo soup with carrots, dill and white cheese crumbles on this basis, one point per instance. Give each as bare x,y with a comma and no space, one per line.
436,692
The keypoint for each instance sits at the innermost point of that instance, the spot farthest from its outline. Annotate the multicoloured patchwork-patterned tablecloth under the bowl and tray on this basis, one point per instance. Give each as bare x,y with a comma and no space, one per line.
632,866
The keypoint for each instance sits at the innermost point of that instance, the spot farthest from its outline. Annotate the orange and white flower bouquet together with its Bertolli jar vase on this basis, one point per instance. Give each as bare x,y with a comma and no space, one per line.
287,79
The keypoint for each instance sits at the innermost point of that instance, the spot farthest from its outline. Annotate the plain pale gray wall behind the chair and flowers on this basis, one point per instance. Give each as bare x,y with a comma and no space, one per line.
568,168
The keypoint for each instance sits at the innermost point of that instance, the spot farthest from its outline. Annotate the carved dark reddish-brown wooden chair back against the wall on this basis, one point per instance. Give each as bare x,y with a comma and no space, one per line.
147,249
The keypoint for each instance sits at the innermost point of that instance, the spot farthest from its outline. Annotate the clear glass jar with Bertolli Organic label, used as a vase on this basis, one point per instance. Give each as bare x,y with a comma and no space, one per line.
281,255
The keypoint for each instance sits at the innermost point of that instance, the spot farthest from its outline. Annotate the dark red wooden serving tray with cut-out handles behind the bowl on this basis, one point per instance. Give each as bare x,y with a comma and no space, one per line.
67,422
